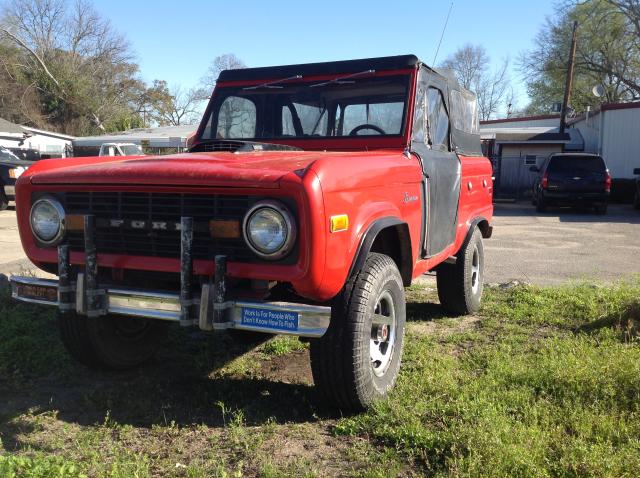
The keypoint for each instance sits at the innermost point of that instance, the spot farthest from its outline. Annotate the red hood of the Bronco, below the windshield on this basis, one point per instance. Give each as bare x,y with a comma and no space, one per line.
251,169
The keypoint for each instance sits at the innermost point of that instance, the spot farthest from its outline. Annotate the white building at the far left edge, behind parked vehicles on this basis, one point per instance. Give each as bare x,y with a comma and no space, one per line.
34,142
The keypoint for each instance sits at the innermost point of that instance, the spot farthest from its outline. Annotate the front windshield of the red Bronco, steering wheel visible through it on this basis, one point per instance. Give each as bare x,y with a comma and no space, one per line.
340,108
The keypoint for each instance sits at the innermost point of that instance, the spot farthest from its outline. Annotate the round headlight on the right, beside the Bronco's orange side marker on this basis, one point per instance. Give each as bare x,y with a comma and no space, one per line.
269,230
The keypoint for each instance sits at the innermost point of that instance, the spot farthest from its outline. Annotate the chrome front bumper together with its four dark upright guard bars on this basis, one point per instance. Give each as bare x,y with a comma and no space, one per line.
209,309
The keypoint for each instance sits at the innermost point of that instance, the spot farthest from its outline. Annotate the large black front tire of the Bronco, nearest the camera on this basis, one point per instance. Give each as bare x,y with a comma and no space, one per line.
344,369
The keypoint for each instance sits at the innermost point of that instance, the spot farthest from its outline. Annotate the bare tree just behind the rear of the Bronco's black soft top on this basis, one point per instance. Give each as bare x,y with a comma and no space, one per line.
472,67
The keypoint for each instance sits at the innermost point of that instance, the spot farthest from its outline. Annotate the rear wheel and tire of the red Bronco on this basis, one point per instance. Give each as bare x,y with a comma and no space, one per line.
460,285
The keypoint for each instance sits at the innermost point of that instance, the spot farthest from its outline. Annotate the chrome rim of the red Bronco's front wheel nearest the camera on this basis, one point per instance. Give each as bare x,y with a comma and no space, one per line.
383,333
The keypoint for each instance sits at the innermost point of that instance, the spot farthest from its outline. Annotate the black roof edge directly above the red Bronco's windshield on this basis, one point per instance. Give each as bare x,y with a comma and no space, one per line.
327,68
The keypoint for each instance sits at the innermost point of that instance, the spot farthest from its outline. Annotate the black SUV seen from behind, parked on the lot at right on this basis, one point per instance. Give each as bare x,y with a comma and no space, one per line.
572,179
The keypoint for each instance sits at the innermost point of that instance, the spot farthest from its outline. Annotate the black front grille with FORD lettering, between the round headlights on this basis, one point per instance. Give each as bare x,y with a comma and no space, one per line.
159,207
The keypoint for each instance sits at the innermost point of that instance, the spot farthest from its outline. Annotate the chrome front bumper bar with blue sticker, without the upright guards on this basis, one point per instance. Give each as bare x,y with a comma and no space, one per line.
271,317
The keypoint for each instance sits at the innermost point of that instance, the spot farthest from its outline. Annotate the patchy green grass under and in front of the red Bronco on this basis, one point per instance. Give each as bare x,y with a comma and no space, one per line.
545,383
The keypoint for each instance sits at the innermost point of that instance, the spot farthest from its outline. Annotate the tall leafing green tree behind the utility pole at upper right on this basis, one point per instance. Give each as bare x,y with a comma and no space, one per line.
608,54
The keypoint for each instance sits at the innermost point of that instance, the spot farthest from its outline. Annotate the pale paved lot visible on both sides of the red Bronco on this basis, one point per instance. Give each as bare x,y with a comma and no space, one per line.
549,248
